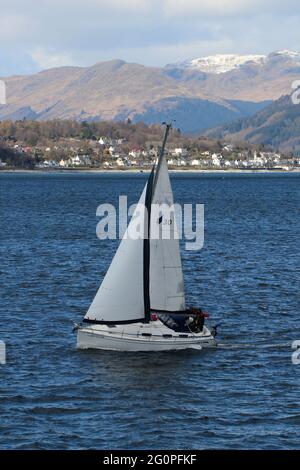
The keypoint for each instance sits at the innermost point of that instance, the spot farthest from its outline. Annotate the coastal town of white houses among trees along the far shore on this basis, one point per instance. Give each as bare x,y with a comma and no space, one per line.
136,151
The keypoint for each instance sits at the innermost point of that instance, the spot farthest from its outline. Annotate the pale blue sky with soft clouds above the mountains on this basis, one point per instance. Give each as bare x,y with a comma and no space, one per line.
40,34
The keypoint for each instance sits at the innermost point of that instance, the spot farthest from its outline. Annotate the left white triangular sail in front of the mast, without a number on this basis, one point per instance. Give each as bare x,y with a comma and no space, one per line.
121,294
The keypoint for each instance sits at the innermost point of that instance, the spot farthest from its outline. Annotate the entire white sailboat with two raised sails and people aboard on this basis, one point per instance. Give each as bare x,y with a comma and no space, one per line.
140,305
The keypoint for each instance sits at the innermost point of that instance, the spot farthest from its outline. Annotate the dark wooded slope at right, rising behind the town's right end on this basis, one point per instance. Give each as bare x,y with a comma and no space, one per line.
277,125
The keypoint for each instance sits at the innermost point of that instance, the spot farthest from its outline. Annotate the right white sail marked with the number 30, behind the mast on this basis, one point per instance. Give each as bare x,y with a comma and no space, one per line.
166,278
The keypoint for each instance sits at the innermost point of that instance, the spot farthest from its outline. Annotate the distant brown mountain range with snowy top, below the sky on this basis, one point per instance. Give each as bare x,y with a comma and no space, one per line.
197,97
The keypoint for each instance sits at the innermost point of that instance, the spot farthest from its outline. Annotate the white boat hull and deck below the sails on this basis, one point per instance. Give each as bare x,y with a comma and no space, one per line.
133,338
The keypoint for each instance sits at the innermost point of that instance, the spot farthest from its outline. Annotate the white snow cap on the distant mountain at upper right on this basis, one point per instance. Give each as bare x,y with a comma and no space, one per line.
222,63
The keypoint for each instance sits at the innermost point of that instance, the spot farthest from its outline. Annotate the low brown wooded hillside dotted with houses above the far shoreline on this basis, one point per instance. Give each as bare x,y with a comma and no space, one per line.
61,144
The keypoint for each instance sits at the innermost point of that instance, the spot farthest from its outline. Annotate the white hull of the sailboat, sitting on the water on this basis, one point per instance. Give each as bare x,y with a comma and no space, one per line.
89,338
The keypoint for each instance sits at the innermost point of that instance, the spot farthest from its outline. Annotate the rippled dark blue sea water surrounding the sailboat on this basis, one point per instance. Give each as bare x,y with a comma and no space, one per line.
243,395
